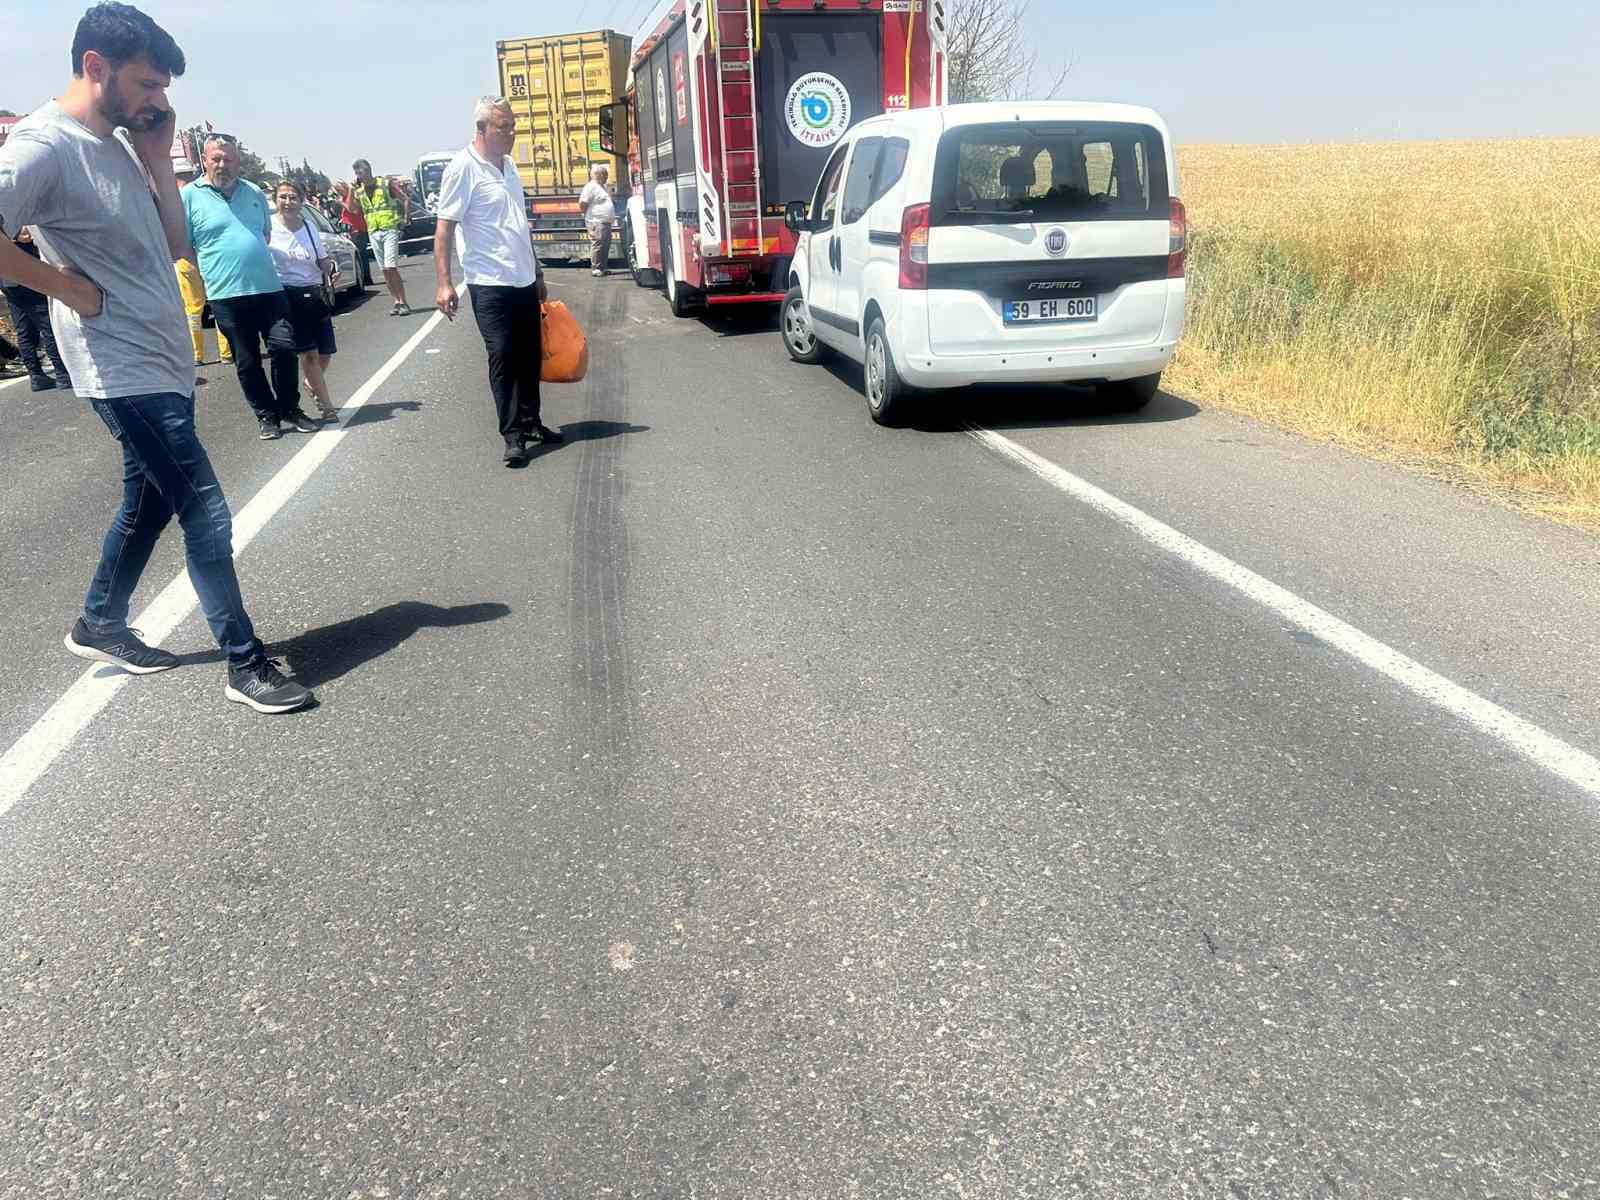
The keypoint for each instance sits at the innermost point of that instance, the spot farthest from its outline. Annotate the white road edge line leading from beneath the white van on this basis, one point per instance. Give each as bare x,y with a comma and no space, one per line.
1522,737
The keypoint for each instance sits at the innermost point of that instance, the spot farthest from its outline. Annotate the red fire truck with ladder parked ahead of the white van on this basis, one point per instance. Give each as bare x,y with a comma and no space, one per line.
732,111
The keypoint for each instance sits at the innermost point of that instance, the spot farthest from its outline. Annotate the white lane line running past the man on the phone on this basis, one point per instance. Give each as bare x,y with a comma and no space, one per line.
33,754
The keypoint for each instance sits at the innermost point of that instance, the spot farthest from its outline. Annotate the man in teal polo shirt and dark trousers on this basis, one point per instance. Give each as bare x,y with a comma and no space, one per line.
230,226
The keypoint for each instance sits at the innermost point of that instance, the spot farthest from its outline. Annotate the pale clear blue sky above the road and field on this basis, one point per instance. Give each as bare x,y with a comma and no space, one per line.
393,79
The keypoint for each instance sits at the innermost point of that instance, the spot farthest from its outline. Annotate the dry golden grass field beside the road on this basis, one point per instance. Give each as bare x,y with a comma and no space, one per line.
1431,302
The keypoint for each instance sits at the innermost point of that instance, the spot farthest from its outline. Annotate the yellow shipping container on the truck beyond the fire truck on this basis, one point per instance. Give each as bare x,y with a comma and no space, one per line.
558,87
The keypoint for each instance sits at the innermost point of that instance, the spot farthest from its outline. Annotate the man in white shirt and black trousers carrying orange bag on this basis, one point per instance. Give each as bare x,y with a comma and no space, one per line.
484,218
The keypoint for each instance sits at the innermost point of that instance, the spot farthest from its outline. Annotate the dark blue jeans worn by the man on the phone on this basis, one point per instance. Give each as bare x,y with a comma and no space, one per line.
166,471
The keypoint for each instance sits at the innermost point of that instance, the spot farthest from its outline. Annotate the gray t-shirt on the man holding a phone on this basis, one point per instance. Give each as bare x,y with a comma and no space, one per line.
92,210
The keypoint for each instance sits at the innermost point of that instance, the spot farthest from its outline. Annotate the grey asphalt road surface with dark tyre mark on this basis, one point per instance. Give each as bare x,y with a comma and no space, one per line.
745,801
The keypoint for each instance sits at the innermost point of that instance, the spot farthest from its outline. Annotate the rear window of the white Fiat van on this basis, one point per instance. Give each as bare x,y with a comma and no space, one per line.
1022,172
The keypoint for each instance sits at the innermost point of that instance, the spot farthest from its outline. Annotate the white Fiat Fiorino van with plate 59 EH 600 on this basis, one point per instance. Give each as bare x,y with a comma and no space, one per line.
996,242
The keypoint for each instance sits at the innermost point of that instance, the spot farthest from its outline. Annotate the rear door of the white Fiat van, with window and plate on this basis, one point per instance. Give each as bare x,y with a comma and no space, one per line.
1047,234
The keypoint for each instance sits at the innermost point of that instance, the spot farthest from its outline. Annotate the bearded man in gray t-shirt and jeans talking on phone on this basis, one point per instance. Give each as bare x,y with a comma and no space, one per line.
94,177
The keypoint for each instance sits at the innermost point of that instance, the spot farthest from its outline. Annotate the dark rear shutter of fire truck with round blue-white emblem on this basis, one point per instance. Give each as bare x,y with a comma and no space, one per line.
825,54
